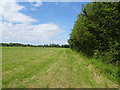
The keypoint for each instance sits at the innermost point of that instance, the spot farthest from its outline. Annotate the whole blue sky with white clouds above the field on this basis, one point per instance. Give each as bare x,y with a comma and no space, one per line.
38,22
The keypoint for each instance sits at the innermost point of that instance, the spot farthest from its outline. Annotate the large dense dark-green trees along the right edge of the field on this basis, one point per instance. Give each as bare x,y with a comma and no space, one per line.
96,32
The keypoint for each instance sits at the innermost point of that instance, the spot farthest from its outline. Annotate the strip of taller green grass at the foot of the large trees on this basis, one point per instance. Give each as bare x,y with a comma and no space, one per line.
109,70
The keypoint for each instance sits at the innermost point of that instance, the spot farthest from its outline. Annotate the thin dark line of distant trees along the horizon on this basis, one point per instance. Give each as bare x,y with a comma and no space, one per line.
29,45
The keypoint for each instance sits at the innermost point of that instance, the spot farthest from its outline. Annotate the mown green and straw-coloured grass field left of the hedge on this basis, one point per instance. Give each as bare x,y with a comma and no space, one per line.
34,67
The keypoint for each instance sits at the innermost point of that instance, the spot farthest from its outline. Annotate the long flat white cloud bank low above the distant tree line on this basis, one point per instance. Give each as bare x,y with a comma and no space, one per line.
37,34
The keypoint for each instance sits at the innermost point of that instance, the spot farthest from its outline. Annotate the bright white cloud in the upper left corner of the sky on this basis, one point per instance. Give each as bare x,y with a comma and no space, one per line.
10,11
